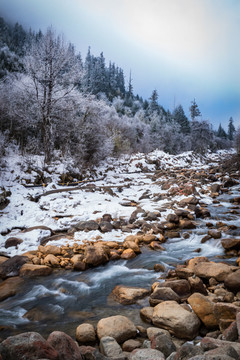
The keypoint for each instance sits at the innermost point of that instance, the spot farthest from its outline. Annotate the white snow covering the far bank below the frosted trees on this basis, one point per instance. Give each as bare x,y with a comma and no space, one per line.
90,201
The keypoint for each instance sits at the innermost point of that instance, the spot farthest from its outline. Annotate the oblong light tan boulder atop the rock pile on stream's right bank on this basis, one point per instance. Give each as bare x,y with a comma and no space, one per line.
208,270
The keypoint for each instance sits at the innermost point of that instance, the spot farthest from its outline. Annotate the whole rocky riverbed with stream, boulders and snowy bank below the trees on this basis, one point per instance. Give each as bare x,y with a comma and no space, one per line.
170,237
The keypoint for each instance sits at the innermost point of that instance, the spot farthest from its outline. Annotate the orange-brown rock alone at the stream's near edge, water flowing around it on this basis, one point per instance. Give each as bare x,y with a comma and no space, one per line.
127,295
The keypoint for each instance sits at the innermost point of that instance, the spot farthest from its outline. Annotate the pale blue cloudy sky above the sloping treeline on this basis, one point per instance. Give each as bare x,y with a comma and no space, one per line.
184,49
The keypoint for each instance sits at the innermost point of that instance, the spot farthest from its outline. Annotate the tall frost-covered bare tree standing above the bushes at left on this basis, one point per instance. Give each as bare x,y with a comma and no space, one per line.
53,71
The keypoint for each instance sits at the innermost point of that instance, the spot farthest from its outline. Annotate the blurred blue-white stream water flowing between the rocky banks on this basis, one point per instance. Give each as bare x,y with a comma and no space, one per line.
66,299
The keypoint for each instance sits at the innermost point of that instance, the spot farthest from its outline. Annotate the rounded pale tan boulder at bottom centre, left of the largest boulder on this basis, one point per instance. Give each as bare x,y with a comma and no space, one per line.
119,327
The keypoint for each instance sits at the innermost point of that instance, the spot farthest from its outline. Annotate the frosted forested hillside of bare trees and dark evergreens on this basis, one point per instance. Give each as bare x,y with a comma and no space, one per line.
51,99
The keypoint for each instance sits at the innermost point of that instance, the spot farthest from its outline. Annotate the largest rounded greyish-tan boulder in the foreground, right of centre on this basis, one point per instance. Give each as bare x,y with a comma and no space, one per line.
173,317
